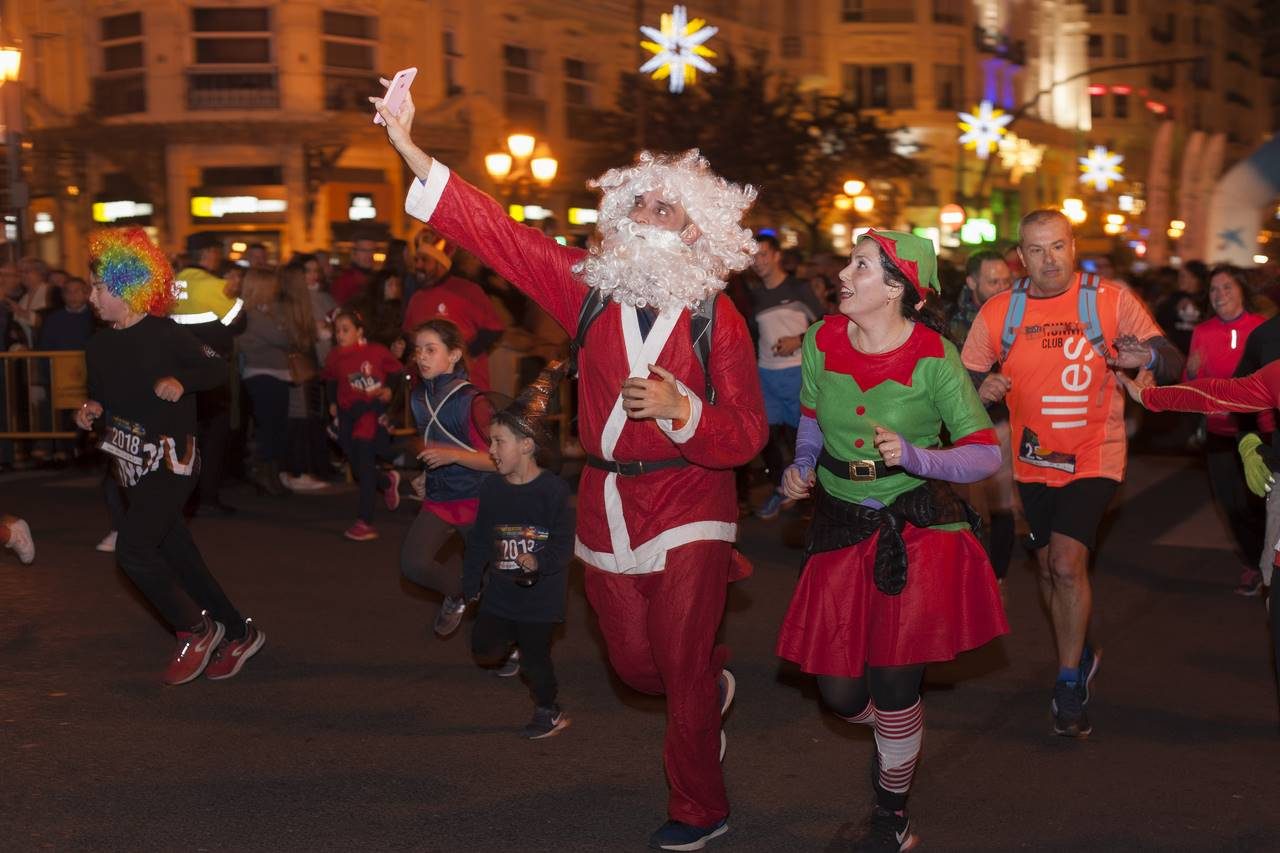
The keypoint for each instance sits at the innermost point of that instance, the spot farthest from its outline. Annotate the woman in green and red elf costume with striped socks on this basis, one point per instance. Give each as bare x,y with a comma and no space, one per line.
894,577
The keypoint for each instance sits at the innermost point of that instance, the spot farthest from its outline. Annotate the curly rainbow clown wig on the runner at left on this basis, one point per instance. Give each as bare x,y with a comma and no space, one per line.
134,270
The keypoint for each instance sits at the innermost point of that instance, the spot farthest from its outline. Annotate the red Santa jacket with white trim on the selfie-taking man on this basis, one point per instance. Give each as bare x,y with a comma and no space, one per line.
625,524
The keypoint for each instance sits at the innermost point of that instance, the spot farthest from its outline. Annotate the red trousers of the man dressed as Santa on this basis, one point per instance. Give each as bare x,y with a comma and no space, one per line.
660,630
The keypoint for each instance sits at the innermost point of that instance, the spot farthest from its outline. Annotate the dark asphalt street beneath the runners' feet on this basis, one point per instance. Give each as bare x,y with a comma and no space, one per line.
355,729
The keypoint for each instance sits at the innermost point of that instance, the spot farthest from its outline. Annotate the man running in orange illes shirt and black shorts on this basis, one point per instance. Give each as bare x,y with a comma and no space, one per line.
1067,418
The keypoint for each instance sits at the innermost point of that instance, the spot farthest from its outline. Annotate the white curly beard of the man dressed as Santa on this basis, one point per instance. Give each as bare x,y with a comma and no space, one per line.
643,266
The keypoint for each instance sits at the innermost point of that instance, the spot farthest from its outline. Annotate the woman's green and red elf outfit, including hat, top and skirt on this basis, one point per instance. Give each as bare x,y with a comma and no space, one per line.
894,574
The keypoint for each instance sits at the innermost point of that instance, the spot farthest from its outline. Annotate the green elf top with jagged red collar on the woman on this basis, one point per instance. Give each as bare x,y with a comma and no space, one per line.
913,391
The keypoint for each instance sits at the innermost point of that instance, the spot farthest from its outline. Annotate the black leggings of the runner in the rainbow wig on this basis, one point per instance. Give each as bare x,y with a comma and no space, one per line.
156,550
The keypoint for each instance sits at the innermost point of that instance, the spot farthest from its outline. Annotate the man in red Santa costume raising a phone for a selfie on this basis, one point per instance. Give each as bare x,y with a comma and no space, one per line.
657,505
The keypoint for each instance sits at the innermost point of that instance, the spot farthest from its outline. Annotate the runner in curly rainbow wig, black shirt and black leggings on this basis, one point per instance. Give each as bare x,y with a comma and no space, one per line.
143,375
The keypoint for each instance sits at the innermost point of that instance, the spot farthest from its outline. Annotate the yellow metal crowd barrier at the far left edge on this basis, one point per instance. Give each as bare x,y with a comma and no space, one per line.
35,387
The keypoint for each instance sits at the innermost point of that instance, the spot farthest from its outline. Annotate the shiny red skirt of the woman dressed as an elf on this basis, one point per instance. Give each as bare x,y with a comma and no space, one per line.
839,622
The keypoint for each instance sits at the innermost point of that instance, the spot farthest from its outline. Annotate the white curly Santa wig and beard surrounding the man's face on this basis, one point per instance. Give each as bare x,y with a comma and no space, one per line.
642,266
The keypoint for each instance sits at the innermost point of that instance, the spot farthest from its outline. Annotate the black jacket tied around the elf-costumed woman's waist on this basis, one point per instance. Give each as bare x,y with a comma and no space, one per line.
839,524
